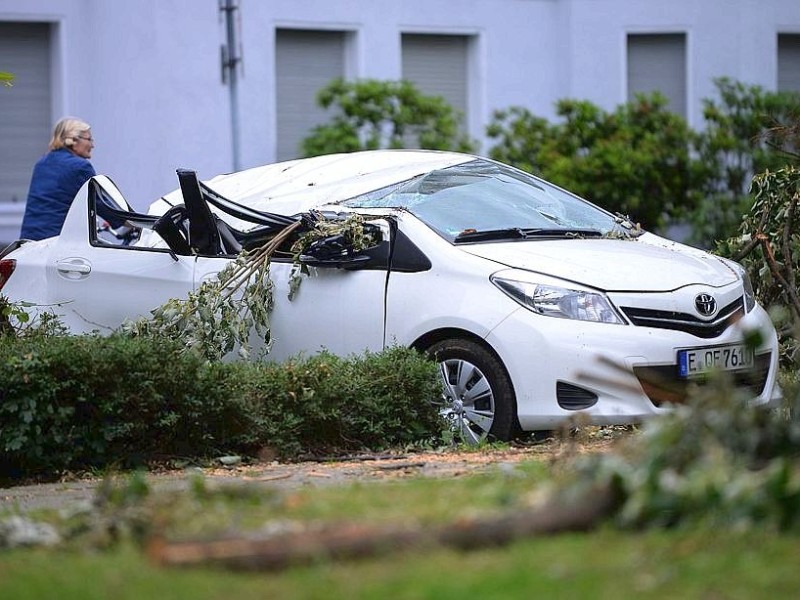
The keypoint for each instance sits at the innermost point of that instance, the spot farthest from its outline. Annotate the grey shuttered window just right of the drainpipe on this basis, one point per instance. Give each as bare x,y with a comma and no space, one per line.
306,61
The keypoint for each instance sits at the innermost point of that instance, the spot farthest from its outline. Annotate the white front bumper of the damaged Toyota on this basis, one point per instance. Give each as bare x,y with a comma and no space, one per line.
613,374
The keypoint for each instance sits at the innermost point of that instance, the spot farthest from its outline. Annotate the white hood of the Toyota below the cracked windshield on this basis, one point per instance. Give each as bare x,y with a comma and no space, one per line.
648,263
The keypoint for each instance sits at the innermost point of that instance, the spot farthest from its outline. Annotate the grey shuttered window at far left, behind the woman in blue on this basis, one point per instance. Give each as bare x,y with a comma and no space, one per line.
26,107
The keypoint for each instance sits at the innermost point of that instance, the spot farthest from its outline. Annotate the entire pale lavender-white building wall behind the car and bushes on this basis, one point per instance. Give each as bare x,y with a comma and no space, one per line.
146,73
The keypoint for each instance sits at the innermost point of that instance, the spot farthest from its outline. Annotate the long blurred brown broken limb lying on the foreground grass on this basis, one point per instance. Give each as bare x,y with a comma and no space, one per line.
351,541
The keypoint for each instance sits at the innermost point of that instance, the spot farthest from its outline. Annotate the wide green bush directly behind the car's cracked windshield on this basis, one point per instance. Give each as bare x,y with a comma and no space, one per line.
634,160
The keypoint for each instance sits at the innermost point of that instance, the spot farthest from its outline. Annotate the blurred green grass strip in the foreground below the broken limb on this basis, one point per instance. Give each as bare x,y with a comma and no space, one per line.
604,564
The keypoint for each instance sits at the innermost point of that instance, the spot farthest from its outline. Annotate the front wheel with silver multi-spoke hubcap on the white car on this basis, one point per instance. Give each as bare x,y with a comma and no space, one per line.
477,397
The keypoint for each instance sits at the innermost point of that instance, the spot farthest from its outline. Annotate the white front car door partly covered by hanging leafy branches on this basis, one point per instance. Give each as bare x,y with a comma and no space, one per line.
338,309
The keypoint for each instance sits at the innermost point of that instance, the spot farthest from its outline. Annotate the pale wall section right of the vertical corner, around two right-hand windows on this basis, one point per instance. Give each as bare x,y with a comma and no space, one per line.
734,38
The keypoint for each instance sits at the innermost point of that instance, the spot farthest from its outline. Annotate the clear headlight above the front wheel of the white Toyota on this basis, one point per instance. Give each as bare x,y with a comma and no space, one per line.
556,301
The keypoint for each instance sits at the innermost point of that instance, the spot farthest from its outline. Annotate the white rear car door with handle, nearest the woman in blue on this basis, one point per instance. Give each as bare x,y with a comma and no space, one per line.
96,285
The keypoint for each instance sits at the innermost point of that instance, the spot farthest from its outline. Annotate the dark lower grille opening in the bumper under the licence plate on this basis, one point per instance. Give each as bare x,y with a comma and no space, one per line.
663,385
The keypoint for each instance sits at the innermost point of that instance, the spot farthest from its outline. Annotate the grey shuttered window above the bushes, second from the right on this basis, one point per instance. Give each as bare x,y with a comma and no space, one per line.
657,62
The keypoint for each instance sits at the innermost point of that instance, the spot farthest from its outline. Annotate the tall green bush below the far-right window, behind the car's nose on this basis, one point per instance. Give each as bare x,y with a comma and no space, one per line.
748,130
